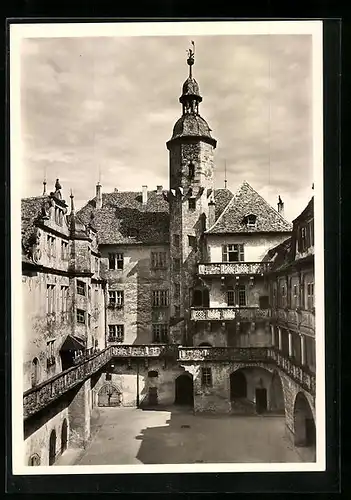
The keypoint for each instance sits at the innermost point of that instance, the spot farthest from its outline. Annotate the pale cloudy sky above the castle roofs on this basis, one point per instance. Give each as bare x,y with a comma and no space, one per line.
104,107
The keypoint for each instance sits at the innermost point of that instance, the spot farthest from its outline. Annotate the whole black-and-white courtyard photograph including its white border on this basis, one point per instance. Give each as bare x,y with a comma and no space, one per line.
167,247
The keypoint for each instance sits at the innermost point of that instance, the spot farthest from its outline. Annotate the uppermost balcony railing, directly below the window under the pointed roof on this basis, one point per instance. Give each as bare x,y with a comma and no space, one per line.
233,268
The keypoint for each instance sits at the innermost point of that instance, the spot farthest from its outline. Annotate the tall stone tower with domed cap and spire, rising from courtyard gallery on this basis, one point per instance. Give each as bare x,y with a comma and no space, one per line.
191,184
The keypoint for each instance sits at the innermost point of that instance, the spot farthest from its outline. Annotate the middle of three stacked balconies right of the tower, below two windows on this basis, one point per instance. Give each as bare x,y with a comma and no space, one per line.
229,314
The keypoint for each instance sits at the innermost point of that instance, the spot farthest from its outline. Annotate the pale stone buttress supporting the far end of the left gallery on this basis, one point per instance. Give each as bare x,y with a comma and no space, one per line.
79,416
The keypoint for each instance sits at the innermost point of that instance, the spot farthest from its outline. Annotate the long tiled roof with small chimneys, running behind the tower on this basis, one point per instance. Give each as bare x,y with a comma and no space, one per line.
124,220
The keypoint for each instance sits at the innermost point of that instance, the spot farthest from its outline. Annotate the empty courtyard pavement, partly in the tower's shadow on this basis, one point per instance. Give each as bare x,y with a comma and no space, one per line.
134,436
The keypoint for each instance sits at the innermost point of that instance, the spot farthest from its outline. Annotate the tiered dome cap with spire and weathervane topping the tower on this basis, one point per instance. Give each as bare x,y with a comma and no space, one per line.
191,124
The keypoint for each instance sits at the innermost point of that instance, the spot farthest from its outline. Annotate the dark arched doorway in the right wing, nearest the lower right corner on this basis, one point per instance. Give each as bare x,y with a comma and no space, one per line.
304,425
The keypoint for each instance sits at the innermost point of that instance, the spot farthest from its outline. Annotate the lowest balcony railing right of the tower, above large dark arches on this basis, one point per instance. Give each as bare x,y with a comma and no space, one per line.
222,354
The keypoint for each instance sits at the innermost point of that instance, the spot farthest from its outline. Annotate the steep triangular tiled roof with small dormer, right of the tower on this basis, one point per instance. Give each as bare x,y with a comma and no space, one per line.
245,202
